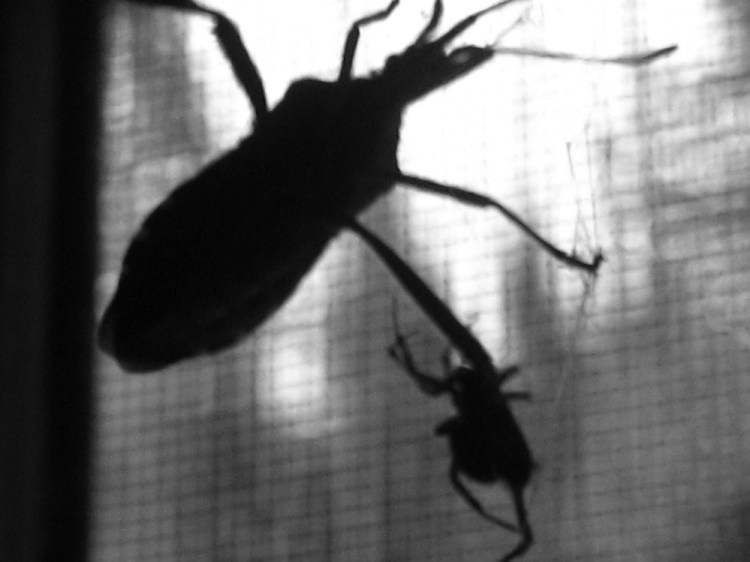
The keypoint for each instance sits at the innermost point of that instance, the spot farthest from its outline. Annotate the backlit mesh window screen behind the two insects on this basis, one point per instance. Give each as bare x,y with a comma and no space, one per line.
307,442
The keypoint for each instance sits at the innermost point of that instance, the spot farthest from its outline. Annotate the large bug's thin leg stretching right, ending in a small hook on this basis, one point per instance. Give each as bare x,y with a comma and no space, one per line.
477,200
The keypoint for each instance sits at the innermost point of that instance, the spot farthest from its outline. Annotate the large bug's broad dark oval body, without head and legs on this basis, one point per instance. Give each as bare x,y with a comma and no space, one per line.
229,247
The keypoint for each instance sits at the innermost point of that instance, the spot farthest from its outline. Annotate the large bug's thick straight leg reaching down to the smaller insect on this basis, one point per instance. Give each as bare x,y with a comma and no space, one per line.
459,335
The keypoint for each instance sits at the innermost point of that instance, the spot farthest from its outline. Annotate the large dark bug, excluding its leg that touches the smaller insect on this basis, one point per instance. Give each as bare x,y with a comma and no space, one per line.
228,247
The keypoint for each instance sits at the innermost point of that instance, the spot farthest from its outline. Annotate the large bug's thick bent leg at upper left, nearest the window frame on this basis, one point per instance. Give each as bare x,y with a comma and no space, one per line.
231,44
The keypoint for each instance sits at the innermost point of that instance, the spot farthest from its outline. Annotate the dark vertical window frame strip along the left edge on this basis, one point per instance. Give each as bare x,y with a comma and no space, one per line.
49,121
